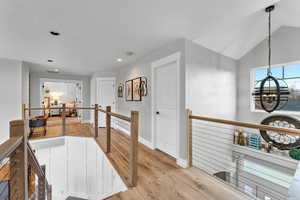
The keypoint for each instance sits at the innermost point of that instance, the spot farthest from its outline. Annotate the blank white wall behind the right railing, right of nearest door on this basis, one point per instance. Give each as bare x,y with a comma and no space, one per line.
211,92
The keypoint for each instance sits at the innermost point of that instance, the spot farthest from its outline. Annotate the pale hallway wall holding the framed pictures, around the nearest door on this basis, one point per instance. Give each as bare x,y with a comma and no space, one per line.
142,67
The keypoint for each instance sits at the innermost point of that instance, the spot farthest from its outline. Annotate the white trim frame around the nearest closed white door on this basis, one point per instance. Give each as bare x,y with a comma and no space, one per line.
154,65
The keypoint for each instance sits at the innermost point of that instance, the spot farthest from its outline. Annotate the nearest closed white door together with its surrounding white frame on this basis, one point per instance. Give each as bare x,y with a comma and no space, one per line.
165,104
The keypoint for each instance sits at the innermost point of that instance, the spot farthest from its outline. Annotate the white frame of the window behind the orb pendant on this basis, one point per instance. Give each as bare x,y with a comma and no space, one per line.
252,86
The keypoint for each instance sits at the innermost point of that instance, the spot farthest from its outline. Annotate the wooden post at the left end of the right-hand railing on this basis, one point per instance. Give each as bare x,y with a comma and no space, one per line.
190,136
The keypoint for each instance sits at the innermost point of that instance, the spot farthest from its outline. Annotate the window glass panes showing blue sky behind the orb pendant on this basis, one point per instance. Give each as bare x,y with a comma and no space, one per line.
288,73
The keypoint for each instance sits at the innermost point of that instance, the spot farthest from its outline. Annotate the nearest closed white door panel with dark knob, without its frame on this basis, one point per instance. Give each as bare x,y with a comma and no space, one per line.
165,107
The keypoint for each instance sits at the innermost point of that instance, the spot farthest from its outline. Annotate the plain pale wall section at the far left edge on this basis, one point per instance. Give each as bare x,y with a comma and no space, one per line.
11,94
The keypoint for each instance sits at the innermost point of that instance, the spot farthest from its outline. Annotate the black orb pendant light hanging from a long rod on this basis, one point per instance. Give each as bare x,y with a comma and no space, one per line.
270,93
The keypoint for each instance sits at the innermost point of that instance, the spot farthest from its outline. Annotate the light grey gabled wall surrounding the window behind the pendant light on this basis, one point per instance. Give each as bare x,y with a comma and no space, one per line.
285,49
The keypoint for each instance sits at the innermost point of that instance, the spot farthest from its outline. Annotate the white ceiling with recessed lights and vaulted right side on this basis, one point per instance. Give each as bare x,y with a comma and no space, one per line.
94,33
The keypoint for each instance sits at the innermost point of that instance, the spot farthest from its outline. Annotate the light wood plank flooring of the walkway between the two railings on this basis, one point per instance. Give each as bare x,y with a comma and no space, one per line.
159,178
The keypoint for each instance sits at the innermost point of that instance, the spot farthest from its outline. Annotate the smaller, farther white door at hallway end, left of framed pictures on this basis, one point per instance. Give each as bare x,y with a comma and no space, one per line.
105,97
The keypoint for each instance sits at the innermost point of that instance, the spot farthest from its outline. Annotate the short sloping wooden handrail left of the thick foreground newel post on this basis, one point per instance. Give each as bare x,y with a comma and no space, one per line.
9,146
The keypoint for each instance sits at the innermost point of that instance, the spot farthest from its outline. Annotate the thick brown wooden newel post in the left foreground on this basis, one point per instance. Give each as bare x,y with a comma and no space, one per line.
19,162
